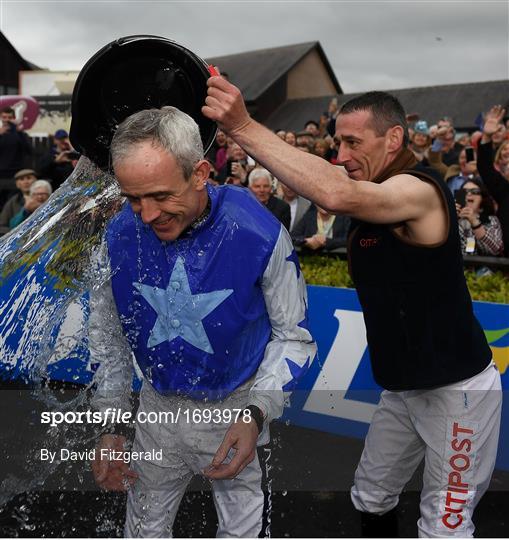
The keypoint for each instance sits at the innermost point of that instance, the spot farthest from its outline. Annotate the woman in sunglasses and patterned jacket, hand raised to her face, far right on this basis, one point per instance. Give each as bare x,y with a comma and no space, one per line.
480,230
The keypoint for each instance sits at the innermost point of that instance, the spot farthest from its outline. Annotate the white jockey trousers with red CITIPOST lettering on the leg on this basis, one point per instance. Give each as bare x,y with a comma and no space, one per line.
455,429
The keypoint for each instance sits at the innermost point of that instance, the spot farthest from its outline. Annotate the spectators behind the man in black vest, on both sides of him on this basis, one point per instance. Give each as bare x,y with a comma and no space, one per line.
475,167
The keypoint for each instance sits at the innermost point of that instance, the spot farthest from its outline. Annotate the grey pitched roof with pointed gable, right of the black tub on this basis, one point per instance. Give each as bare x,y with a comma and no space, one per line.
255,71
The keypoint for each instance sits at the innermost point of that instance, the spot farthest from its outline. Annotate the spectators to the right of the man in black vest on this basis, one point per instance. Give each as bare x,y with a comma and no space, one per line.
474,167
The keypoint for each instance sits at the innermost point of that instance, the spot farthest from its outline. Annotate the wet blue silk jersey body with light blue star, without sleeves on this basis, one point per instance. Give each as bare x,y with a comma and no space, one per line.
193,310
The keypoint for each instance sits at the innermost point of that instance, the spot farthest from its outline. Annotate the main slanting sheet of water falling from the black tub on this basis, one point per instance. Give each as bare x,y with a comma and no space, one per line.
43,267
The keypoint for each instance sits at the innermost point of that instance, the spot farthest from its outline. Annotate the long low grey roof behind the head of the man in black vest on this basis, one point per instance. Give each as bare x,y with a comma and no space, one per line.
462,102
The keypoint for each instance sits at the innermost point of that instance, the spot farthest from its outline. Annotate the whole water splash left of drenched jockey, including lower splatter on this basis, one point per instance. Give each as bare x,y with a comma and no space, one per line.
45,273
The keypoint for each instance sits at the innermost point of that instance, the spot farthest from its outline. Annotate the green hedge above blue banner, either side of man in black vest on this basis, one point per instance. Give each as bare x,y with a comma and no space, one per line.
333,272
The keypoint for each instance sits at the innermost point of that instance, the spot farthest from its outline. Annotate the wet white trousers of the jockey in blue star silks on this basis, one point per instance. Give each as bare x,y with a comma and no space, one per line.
188,448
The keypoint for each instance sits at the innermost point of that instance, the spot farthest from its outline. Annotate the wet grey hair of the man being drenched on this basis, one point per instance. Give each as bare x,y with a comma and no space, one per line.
171,129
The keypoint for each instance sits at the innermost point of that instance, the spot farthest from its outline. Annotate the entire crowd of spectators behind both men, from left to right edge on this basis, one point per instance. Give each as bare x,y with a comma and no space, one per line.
475,167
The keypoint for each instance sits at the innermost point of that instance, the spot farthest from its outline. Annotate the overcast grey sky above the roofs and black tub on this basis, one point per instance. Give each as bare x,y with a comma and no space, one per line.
370,45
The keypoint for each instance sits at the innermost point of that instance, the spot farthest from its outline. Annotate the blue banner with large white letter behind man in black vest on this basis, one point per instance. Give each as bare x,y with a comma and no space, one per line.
339,395
